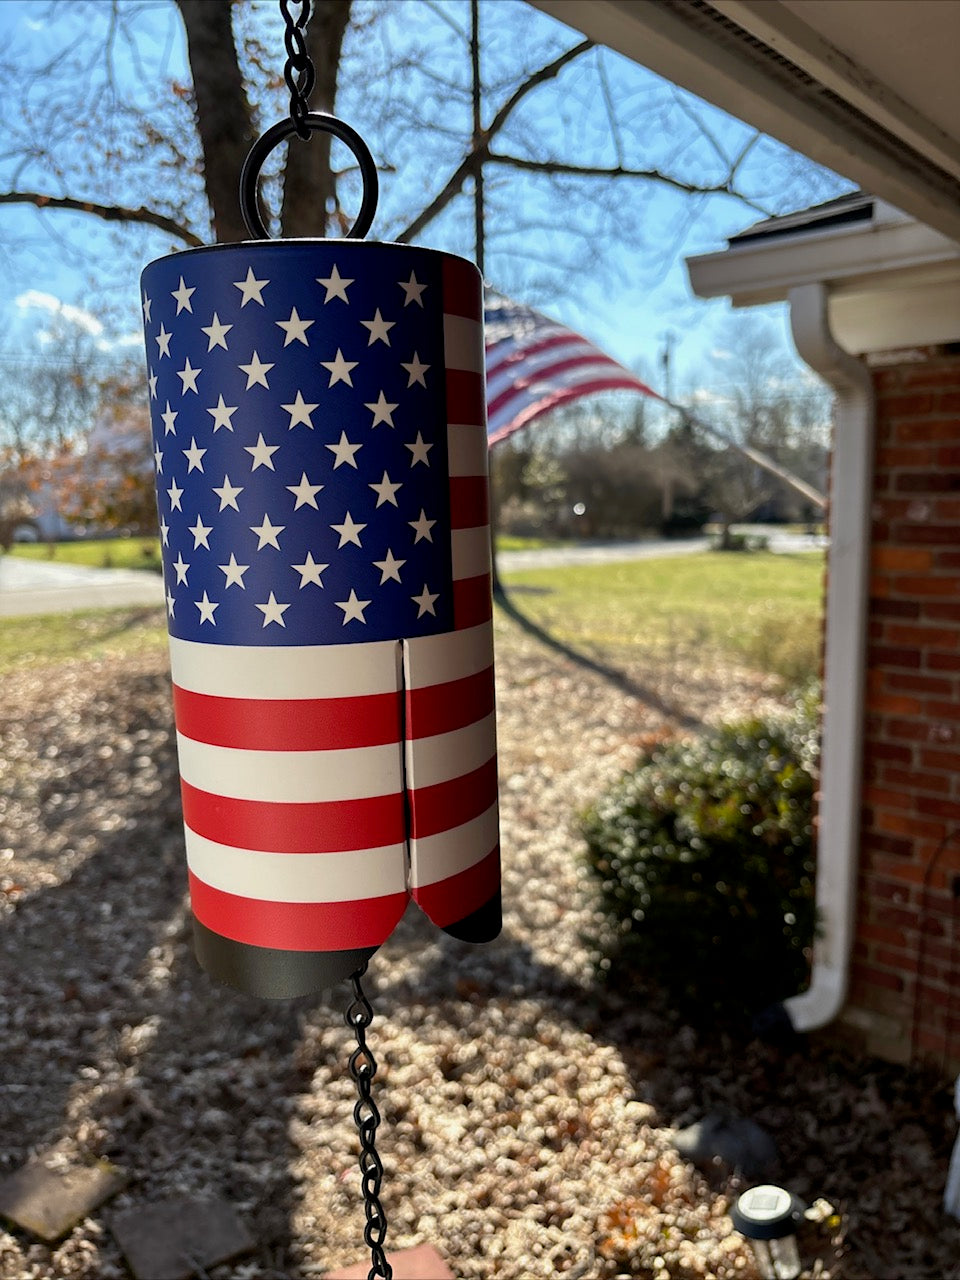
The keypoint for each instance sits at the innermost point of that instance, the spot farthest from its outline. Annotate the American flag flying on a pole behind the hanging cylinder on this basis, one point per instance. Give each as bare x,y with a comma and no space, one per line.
534,364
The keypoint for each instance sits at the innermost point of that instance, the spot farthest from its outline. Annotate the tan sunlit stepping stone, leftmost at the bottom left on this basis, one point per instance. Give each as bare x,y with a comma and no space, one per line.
48,1203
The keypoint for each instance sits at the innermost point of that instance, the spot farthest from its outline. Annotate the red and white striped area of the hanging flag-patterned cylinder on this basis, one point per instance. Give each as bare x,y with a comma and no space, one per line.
360,774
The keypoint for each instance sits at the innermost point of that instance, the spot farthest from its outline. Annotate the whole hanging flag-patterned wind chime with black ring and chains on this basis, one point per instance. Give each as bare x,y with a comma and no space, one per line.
319,431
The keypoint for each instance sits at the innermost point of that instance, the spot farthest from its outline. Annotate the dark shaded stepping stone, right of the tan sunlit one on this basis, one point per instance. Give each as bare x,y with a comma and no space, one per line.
177,1238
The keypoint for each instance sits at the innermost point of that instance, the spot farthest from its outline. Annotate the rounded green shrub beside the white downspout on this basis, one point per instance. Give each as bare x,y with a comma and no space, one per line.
703,860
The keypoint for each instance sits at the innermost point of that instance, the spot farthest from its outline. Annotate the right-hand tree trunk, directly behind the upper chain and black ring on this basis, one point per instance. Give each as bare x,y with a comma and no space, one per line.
309,185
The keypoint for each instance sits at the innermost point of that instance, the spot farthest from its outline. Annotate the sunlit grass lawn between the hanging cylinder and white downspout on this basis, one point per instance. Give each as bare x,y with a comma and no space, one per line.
761,609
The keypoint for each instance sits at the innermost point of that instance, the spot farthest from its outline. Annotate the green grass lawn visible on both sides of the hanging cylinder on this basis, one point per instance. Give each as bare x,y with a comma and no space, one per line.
760,609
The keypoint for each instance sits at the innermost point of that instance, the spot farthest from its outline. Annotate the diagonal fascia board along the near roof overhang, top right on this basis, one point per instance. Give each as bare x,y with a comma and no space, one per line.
660,39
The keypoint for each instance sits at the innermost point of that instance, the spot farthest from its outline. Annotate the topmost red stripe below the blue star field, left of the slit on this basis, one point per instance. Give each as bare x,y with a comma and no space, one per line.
289,724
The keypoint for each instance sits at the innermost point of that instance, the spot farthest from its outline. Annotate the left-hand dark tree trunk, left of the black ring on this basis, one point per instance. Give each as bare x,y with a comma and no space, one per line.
225,117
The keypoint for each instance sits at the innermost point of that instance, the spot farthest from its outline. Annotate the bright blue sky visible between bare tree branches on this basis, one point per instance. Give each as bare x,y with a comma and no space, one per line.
629,300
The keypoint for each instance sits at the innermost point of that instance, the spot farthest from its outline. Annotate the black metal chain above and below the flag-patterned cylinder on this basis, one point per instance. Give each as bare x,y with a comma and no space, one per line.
301,77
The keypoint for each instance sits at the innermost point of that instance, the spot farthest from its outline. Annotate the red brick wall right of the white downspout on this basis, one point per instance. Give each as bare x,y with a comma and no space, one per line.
906,981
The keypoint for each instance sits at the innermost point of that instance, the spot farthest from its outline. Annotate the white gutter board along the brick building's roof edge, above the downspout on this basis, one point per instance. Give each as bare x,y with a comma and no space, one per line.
766,271
